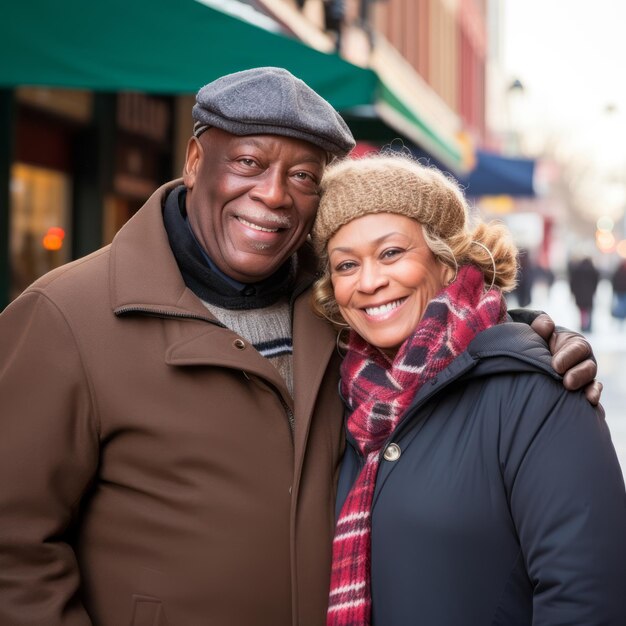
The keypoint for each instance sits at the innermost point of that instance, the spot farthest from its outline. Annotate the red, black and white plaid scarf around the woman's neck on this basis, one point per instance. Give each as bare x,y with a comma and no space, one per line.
379,391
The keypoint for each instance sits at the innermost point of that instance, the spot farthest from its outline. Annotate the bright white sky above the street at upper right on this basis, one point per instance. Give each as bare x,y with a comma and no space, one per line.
571,57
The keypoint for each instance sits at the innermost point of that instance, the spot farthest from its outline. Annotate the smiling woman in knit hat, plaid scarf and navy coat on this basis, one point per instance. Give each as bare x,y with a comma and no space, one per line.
474,488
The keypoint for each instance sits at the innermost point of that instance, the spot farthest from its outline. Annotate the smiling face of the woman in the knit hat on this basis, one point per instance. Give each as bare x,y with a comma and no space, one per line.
383,275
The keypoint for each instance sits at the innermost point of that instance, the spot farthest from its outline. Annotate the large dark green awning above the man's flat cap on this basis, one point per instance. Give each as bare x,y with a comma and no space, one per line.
158,46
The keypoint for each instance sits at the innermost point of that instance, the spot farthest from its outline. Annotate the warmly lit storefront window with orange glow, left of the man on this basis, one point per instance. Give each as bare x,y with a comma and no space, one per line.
40,209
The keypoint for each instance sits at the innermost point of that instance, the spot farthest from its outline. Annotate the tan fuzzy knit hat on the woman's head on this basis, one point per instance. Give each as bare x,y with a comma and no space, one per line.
390,183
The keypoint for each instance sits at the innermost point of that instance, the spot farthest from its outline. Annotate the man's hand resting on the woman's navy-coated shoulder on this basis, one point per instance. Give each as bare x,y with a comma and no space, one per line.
572,357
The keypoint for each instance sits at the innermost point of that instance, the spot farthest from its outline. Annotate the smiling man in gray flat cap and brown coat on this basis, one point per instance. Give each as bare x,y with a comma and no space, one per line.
166,457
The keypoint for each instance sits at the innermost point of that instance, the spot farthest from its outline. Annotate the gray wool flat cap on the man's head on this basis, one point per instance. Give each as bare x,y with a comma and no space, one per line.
271,101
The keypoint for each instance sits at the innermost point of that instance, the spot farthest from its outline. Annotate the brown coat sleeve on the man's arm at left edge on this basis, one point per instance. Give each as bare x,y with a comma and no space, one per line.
48,456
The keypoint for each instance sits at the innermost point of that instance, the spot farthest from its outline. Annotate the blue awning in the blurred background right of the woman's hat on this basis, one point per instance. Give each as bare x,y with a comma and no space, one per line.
495,175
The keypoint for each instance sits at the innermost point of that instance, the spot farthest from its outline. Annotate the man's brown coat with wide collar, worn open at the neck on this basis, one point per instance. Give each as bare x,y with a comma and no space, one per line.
148,472
